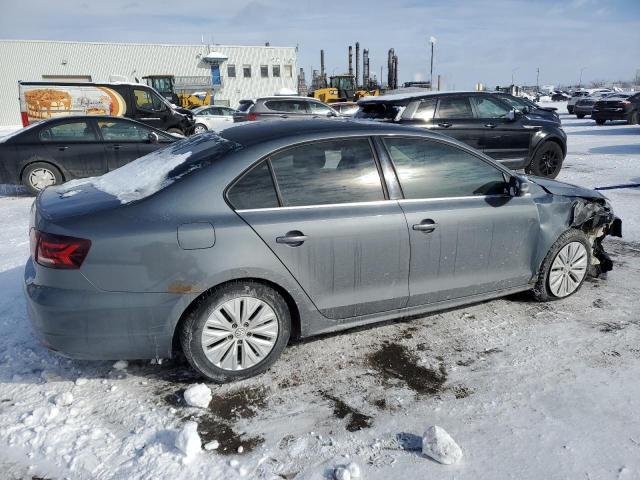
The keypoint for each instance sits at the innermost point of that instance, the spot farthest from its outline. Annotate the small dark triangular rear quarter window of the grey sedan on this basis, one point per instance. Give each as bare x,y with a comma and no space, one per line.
254,189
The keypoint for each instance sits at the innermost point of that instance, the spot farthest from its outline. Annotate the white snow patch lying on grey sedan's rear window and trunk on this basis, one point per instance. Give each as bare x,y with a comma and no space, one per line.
136,180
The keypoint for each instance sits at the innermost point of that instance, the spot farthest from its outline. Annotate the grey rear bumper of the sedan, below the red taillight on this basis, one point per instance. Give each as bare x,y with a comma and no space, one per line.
98,325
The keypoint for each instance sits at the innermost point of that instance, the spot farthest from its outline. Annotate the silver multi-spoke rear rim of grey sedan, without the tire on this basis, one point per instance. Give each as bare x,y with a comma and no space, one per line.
239,333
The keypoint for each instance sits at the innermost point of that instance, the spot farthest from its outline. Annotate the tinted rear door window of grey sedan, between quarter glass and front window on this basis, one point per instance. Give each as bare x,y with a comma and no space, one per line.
336,171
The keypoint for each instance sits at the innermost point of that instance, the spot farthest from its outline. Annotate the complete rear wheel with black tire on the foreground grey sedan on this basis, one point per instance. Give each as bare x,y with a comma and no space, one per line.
218,309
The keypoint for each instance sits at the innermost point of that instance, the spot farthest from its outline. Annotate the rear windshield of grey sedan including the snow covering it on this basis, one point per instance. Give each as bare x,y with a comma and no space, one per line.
153,172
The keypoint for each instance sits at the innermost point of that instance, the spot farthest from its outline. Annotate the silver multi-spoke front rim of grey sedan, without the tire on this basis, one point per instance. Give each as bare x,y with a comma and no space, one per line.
568,269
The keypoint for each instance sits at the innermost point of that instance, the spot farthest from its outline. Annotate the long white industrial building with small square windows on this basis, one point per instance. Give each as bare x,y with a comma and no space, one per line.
248,72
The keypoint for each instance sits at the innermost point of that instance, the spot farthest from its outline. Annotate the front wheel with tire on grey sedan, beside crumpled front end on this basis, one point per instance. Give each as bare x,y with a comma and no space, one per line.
547,287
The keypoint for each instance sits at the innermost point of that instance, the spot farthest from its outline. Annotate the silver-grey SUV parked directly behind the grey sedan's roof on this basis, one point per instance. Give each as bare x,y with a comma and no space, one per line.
278,107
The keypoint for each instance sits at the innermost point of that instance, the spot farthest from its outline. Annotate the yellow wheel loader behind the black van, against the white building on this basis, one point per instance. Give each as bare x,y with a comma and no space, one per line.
186,92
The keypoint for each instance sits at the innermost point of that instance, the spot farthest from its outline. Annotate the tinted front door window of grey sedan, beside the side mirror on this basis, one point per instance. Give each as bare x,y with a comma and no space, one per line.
428,169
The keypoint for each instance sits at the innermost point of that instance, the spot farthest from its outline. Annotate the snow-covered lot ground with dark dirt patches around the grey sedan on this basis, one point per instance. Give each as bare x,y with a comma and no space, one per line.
528,390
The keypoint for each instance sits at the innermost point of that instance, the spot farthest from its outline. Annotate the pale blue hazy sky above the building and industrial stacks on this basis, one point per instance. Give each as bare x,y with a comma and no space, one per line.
477,41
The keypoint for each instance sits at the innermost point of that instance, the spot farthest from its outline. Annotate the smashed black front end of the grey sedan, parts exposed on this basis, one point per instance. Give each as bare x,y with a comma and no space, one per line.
594,216
